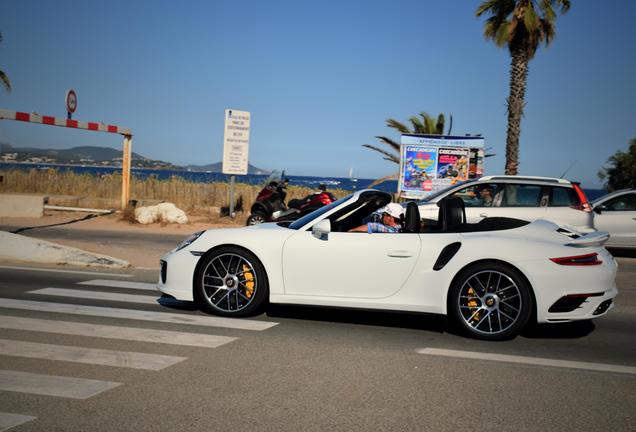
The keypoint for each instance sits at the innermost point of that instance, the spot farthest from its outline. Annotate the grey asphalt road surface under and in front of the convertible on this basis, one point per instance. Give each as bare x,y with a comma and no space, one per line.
315,370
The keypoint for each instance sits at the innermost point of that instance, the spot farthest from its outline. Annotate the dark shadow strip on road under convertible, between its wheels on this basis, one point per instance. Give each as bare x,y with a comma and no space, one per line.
417,321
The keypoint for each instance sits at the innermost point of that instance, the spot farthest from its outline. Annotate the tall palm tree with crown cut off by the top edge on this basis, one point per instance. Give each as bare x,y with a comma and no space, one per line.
521,25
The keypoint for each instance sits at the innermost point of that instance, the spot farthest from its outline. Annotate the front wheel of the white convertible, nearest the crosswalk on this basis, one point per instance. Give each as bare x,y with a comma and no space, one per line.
231,282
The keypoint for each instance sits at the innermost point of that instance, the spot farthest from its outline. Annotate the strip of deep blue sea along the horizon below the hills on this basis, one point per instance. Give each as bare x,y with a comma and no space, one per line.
348,184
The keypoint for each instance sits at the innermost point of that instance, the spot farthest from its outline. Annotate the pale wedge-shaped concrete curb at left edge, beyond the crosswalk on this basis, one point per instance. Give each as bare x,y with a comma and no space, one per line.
22,248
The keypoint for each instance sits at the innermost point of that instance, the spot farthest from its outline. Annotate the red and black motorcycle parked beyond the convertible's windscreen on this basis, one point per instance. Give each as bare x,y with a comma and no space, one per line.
270,203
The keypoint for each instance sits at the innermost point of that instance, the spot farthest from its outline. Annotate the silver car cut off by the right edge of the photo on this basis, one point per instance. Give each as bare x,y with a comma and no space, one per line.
616,214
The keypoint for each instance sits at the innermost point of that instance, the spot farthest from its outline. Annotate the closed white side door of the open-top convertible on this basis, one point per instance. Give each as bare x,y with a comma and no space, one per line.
347,264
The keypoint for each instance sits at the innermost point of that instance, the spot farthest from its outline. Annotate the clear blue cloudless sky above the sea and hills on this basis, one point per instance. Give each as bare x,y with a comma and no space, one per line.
319,79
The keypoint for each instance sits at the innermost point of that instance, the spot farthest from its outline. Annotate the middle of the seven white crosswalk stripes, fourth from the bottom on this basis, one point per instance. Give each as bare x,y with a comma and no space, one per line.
113,332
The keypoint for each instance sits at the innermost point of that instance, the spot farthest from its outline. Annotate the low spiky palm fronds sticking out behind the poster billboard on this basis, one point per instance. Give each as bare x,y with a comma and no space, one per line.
424,124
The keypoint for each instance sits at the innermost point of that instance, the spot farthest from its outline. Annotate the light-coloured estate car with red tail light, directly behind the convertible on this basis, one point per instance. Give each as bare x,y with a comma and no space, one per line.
519,197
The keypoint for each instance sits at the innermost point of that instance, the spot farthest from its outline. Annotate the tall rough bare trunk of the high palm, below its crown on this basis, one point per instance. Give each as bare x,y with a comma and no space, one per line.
518,80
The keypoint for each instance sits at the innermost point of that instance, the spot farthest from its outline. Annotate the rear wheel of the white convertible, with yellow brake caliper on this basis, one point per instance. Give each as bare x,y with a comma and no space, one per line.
490,301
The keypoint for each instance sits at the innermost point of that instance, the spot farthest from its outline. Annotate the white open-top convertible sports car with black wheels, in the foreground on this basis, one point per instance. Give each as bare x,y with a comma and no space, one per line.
491,278
